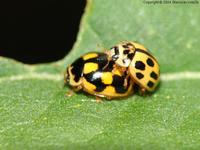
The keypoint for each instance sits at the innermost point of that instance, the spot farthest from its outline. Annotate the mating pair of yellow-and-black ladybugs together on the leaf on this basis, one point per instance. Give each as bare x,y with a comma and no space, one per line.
115,72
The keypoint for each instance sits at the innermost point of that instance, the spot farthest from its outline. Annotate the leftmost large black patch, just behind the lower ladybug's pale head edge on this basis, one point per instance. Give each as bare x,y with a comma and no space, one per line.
77,69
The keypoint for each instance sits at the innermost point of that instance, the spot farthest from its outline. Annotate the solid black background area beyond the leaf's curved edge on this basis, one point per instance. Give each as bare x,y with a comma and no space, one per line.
39,31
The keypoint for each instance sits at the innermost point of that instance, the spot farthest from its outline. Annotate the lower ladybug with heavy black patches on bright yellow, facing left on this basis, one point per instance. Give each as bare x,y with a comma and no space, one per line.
95,74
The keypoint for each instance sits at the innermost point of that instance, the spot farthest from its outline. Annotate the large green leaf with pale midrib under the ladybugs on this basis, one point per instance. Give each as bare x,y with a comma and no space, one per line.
36,114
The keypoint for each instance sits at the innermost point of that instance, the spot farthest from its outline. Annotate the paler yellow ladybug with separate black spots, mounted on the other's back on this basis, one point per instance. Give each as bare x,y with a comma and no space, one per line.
140,64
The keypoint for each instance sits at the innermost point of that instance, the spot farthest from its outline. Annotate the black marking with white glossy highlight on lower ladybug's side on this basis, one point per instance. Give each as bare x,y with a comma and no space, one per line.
95,79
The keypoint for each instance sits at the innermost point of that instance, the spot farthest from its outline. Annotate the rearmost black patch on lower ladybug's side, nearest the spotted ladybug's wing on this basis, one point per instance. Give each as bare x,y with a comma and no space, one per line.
118,84
